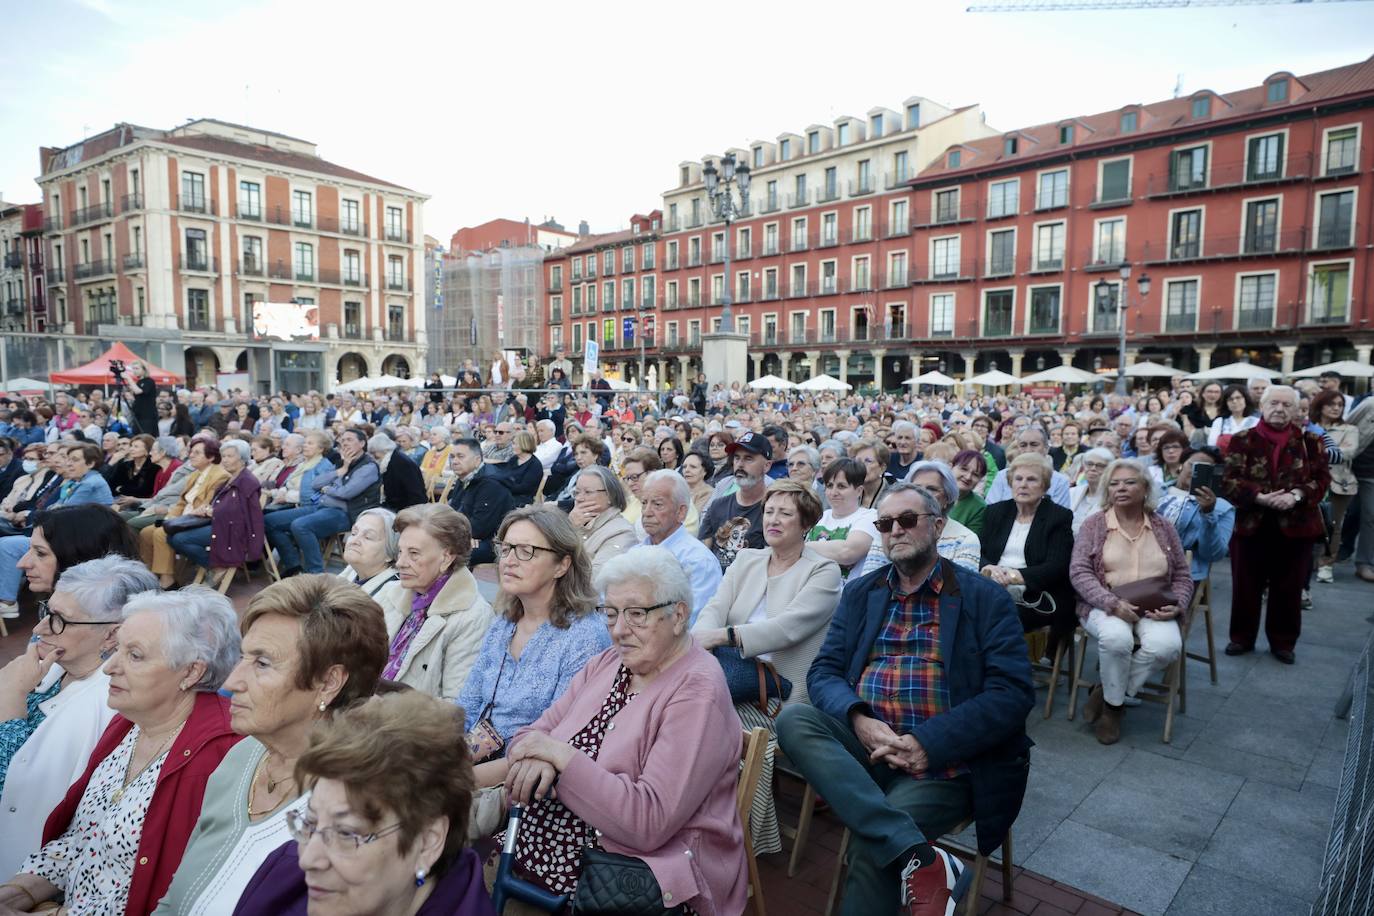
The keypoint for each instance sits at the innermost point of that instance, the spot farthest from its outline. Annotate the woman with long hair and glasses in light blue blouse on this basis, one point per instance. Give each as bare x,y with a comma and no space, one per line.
545,632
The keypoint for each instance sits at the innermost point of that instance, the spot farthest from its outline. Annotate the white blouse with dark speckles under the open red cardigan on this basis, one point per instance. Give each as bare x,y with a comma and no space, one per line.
93,862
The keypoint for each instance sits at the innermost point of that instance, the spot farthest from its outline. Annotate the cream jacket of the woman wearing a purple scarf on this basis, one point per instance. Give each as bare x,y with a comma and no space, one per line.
442,654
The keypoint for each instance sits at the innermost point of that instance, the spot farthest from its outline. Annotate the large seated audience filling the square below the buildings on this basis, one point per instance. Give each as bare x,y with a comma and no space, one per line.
557,597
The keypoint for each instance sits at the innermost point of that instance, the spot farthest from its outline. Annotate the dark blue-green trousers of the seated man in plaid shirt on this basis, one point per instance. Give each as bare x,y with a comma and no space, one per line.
888,812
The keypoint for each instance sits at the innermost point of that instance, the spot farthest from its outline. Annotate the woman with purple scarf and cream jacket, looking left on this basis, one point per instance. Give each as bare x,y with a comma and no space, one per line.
436,624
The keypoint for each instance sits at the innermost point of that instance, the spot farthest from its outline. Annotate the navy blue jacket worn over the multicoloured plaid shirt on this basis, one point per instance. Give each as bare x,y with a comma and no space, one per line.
990,686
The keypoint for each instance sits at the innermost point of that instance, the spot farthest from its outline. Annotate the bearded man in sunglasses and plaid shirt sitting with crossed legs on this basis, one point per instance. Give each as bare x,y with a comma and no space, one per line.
917,716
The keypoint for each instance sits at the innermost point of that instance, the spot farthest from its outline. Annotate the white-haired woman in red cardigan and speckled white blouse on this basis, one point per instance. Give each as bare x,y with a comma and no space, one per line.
116,840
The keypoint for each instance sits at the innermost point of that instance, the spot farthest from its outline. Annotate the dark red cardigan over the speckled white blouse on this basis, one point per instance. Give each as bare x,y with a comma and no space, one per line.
177,801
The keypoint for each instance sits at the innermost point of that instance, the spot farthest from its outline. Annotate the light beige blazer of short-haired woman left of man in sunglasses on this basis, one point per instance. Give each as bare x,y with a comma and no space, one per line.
799,606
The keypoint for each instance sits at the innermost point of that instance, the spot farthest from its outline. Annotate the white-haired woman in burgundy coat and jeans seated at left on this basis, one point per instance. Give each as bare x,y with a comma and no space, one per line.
234,535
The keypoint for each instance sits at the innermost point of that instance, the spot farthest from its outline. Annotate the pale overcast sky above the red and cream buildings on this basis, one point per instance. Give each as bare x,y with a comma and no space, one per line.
583,111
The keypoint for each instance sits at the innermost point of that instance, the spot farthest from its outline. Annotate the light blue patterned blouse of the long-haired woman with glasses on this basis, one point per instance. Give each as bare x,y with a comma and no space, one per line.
531,685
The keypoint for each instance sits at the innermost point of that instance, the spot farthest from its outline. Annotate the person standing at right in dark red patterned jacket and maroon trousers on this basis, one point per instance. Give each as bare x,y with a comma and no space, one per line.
1276,476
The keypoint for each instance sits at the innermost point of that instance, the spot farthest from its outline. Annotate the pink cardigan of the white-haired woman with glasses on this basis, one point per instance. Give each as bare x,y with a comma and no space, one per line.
663,788
